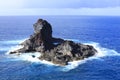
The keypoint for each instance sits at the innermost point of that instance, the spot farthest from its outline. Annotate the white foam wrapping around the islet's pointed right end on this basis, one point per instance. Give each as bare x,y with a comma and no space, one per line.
102,52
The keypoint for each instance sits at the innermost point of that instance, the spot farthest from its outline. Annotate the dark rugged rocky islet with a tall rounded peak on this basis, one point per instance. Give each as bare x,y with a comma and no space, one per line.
55,50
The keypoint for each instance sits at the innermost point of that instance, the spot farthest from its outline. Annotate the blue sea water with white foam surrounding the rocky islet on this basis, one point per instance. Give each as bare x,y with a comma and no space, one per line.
103,32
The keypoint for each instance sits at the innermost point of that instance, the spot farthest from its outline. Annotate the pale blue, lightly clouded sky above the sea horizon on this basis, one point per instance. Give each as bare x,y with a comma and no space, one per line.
60,7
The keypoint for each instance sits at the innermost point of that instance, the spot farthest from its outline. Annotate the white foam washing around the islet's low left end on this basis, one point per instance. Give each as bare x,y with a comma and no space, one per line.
26,56
